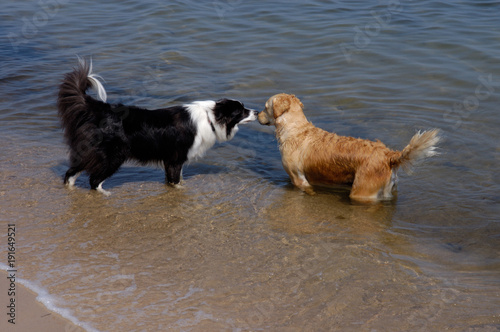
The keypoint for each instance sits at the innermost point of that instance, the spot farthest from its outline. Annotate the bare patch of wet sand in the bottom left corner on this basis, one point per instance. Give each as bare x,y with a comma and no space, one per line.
30,314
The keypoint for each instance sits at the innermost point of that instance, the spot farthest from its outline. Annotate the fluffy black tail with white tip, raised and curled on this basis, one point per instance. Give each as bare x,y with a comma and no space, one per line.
72,99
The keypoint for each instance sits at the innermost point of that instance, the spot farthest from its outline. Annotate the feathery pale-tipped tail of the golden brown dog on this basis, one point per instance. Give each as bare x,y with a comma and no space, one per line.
421,146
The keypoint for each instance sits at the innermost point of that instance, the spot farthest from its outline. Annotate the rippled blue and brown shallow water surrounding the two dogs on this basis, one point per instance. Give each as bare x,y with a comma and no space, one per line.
237,247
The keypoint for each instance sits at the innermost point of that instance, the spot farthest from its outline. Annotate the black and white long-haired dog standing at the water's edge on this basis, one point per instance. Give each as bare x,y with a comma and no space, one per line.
102,136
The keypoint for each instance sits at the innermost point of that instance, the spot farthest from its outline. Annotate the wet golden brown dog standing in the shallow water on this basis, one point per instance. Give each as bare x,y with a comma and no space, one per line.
312,156
